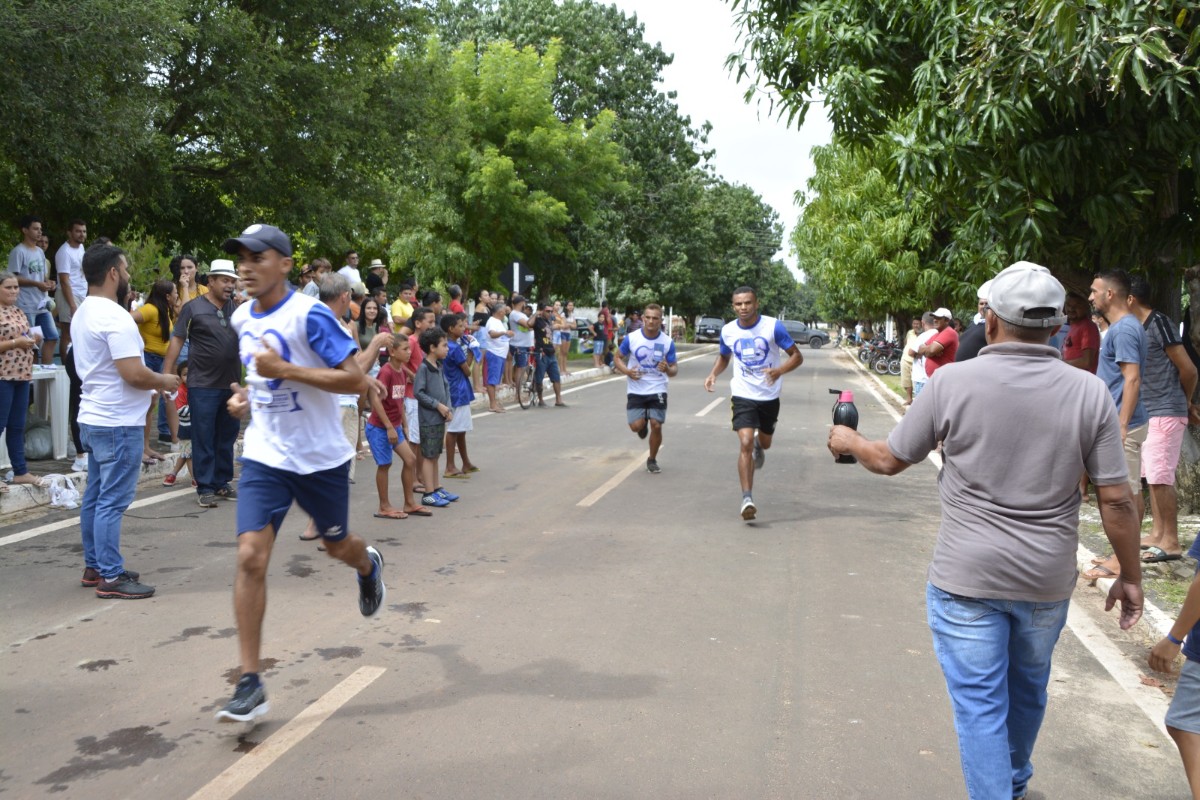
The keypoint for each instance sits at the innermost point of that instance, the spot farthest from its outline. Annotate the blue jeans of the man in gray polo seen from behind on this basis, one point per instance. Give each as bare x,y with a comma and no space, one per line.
995,655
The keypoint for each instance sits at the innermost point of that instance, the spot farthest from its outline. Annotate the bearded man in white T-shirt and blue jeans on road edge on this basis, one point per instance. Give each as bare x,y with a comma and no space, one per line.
117,388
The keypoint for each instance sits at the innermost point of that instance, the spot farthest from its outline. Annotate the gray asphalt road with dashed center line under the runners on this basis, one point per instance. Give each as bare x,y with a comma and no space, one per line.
573,628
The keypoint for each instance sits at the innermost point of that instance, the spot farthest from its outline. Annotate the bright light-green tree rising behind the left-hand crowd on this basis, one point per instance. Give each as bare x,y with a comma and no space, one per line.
518,178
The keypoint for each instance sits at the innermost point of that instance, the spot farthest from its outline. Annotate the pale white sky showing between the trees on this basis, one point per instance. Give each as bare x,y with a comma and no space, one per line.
753,148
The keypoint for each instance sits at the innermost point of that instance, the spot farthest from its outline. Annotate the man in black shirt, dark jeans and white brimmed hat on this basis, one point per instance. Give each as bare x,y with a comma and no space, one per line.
213,365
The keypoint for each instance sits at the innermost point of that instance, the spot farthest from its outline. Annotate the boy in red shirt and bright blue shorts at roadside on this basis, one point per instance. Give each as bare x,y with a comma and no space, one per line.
385,434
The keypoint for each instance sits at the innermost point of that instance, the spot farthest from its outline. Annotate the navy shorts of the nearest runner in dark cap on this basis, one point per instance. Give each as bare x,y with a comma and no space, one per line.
266,495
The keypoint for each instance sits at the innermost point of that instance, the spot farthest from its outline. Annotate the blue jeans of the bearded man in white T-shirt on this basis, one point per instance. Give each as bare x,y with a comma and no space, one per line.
115,462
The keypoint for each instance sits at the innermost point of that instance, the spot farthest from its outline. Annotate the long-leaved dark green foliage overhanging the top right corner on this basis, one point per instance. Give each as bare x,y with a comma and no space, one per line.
1063,133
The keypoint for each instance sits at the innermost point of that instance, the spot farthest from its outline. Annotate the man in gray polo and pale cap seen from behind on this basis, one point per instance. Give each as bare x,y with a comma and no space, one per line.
1018,428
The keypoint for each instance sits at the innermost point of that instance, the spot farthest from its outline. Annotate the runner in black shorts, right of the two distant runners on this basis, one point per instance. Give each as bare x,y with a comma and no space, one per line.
755,342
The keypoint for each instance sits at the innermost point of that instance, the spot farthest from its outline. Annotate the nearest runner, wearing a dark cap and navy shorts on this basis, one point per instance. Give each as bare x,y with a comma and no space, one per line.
298,360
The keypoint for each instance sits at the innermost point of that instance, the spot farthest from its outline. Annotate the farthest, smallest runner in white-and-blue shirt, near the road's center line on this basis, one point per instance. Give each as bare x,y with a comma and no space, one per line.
652,362
